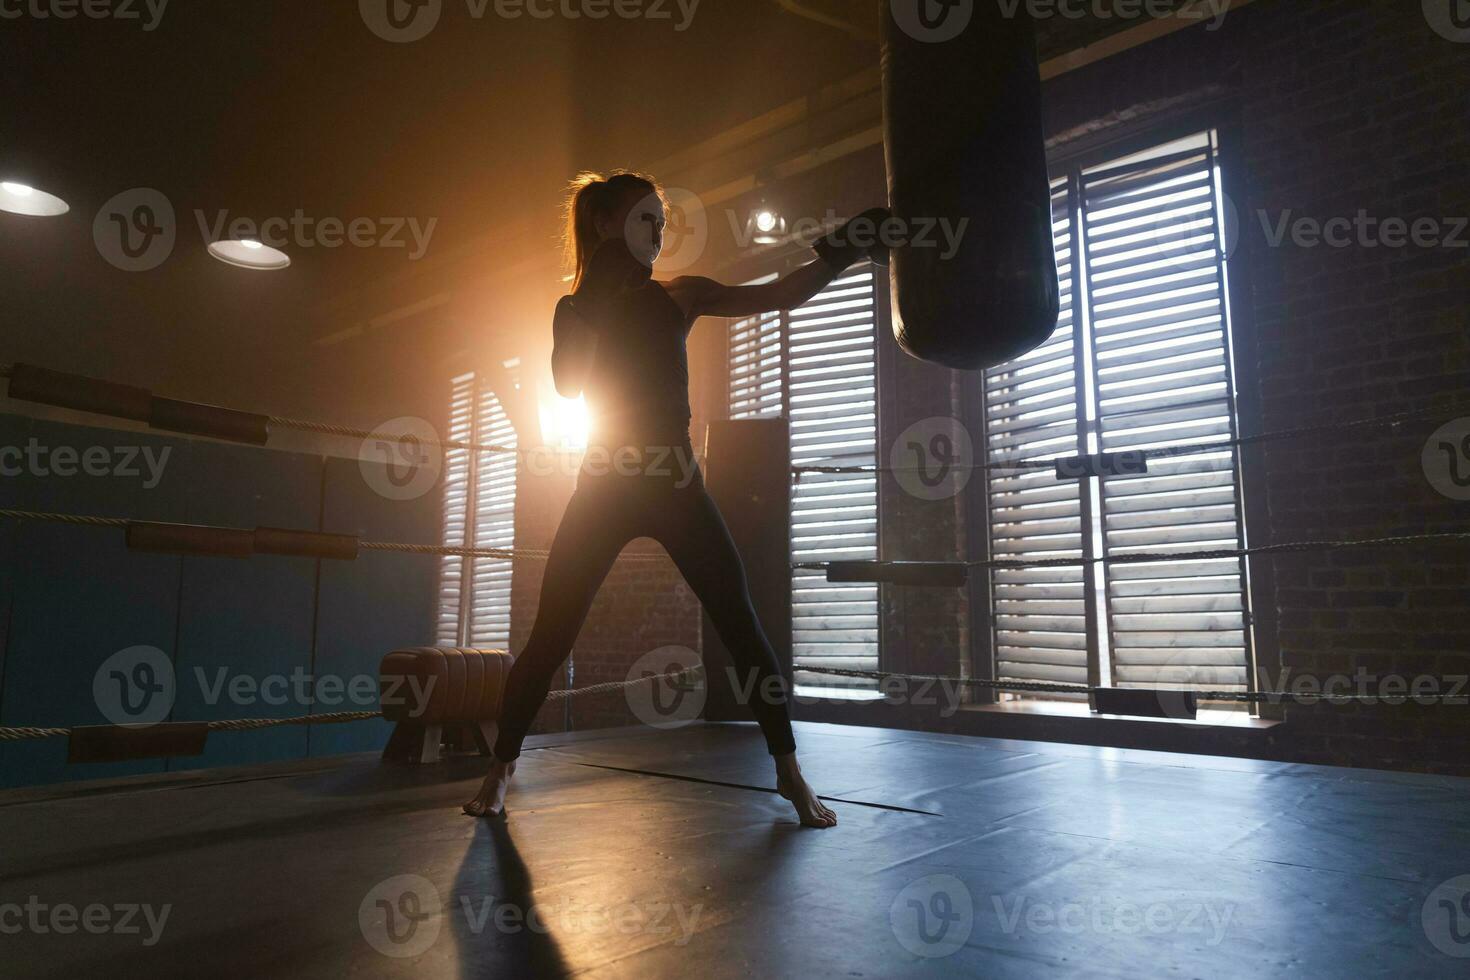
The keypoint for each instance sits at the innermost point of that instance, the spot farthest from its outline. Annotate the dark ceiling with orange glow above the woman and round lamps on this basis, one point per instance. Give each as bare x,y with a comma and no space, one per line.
268,108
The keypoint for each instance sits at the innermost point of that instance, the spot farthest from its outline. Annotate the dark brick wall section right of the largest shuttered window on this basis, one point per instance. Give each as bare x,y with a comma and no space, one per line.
1347,108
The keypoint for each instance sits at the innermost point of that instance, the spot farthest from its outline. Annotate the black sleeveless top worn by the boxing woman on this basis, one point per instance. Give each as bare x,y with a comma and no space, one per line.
639,387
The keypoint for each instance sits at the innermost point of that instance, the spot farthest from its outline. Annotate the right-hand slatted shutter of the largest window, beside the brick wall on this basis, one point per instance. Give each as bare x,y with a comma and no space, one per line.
1164,377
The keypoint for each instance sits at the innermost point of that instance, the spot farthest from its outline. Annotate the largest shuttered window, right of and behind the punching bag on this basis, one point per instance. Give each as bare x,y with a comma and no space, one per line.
1141,359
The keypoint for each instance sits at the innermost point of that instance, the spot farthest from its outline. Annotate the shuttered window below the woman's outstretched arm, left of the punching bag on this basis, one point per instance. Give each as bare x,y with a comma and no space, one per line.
818,367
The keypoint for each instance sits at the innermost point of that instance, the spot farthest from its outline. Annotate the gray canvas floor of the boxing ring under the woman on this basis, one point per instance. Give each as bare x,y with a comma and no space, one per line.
662,854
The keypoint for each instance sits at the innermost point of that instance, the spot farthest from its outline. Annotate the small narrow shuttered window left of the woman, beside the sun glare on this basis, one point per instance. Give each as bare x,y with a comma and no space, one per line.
480,512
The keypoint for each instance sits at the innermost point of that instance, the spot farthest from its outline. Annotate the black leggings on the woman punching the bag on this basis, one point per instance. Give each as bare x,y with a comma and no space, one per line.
609,511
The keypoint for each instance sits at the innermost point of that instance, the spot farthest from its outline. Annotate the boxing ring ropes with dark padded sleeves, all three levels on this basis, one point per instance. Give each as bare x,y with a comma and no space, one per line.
40,386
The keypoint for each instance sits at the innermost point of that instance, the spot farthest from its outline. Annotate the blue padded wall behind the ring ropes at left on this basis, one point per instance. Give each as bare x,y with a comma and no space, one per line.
73,597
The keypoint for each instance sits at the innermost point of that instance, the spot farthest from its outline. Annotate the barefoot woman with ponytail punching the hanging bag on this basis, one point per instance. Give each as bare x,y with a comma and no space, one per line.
621,339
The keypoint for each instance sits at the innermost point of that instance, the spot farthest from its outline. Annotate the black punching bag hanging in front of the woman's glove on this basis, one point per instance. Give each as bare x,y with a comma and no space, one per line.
964,140
